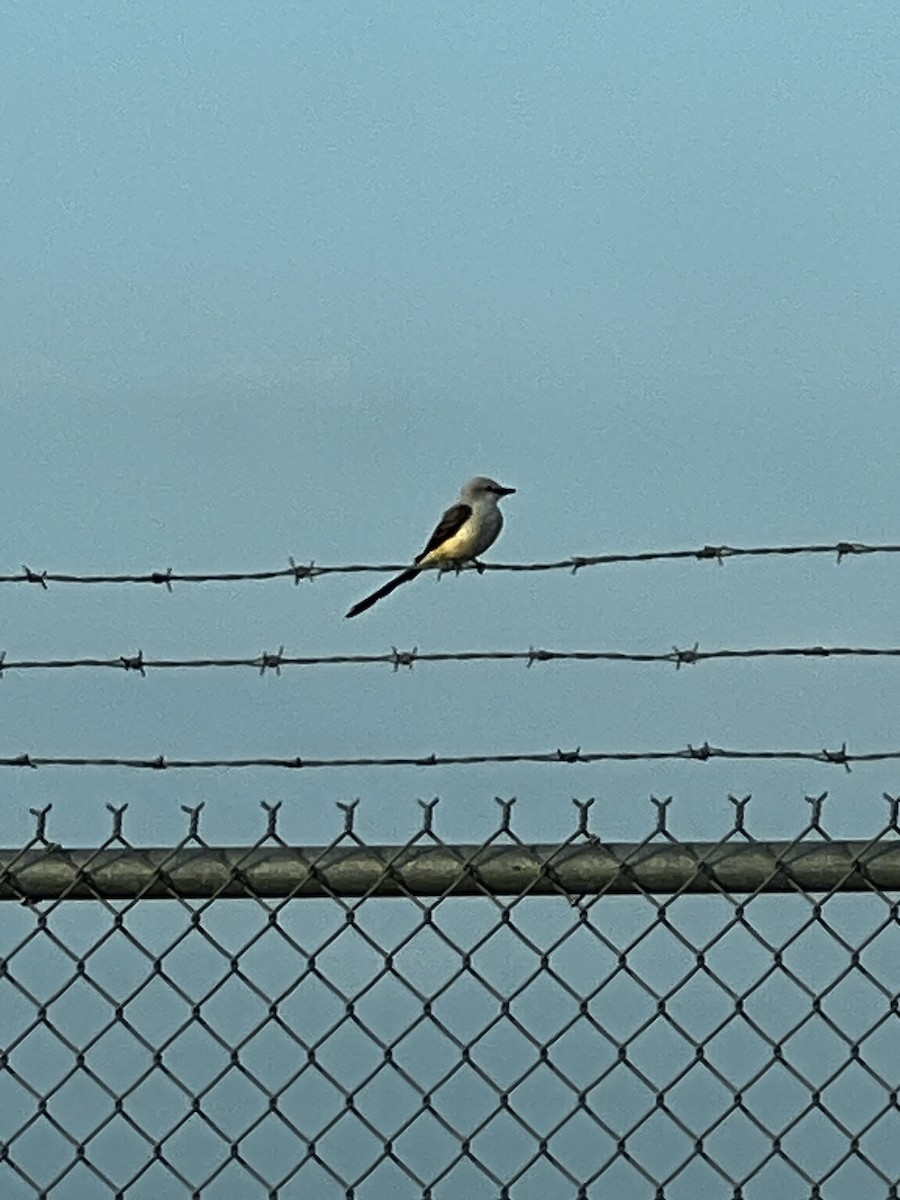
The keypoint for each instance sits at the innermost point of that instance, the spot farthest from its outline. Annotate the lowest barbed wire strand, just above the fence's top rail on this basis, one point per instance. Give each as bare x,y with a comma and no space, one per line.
705,753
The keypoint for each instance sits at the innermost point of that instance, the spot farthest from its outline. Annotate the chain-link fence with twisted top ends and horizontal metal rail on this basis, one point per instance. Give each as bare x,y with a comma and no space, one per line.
661,1019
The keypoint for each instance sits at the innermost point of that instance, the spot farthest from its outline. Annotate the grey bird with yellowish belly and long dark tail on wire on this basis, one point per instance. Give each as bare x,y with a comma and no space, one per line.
465,532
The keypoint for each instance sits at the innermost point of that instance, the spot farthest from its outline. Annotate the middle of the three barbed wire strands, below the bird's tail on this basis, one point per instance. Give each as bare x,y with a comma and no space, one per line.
397,659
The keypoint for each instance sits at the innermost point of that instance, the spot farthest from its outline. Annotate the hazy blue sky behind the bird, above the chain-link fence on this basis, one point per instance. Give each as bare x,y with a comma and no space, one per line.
278,280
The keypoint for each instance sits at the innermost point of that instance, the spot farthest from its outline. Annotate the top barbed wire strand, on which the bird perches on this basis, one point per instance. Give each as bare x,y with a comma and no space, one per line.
301,573
